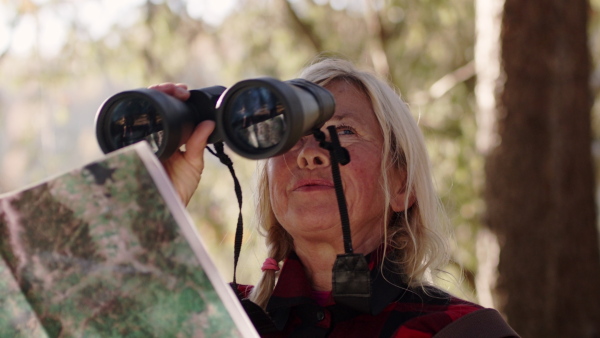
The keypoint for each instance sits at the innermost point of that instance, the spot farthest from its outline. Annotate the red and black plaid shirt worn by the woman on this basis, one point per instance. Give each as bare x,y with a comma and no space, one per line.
395,311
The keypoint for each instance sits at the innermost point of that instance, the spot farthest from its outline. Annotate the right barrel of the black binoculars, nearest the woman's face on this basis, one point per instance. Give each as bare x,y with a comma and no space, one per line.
264,117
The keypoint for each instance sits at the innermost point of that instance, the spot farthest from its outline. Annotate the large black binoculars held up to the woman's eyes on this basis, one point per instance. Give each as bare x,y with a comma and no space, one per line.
256,118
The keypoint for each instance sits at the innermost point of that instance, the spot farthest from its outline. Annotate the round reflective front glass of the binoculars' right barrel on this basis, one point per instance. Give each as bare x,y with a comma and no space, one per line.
257,118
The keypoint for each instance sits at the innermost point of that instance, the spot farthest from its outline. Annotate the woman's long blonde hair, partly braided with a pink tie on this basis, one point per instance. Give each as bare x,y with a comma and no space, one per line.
416,237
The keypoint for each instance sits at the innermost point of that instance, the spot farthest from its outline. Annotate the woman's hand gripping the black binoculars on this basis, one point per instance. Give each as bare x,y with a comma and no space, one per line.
185,168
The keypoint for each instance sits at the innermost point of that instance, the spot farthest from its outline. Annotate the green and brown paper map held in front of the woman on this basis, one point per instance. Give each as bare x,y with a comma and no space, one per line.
97,253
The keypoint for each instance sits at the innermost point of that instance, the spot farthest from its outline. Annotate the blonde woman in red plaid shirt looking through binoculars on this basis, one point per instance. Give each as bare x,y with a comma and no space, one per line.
396,219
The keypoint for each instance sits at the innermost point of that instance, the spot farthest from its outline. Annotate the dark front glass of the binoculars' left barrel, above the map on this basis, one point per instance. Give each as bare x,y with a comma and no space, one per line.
126,128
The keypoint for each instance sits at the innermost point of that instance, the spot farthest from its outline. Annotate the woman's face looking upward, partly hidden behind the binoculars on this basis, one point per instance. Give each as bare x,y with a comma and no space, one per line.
301,185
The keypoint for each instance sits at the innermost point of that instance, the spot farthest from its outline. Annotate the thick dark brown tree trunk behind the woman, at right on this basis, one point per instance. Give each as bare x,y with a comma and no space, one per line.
540,184
